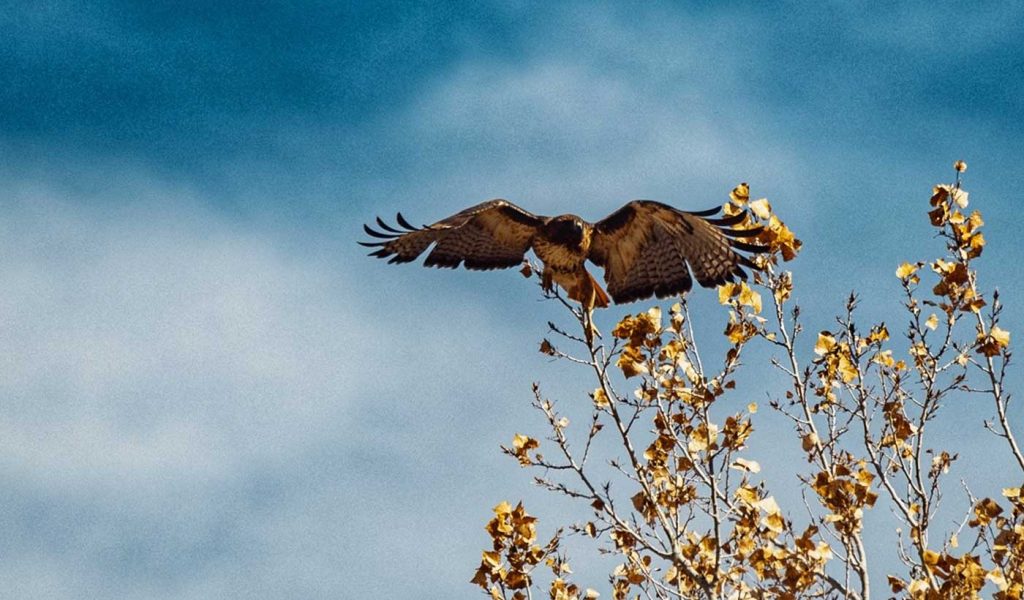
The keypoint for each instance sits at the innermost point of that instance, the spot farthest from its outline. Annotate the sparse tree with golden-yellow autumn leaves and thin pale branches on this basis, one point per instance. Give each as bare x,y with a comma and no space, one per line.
679,501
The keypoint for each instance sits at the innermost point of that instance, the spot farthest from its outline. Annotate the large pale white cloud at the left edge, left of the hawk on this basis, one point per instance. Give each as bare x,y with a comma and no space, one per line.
155,357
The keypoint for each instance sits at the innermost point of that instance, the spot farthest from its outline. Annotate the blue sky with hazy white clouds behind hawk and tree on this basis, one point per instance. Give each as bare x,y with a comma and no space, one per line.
209,393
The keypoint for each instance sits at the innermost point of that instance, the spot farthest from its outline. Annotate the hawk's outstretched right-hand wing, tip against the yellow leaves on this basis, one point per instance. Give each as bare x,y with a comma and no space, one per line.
646,247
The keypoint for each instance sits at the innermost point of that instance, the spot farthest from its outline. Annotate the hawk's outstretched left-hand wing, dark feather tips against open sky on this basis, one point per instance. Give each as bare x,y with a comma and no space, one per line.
493,235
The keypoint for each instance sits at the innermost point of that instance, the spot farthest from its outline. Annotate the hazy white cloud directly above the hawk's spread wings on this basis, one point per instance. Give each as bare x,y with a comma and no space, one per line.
598,110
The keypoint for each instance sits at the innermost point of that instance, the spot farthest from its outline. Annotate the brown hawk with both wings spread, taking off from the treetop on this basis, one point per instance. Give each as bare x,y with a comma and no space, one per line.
647,248
